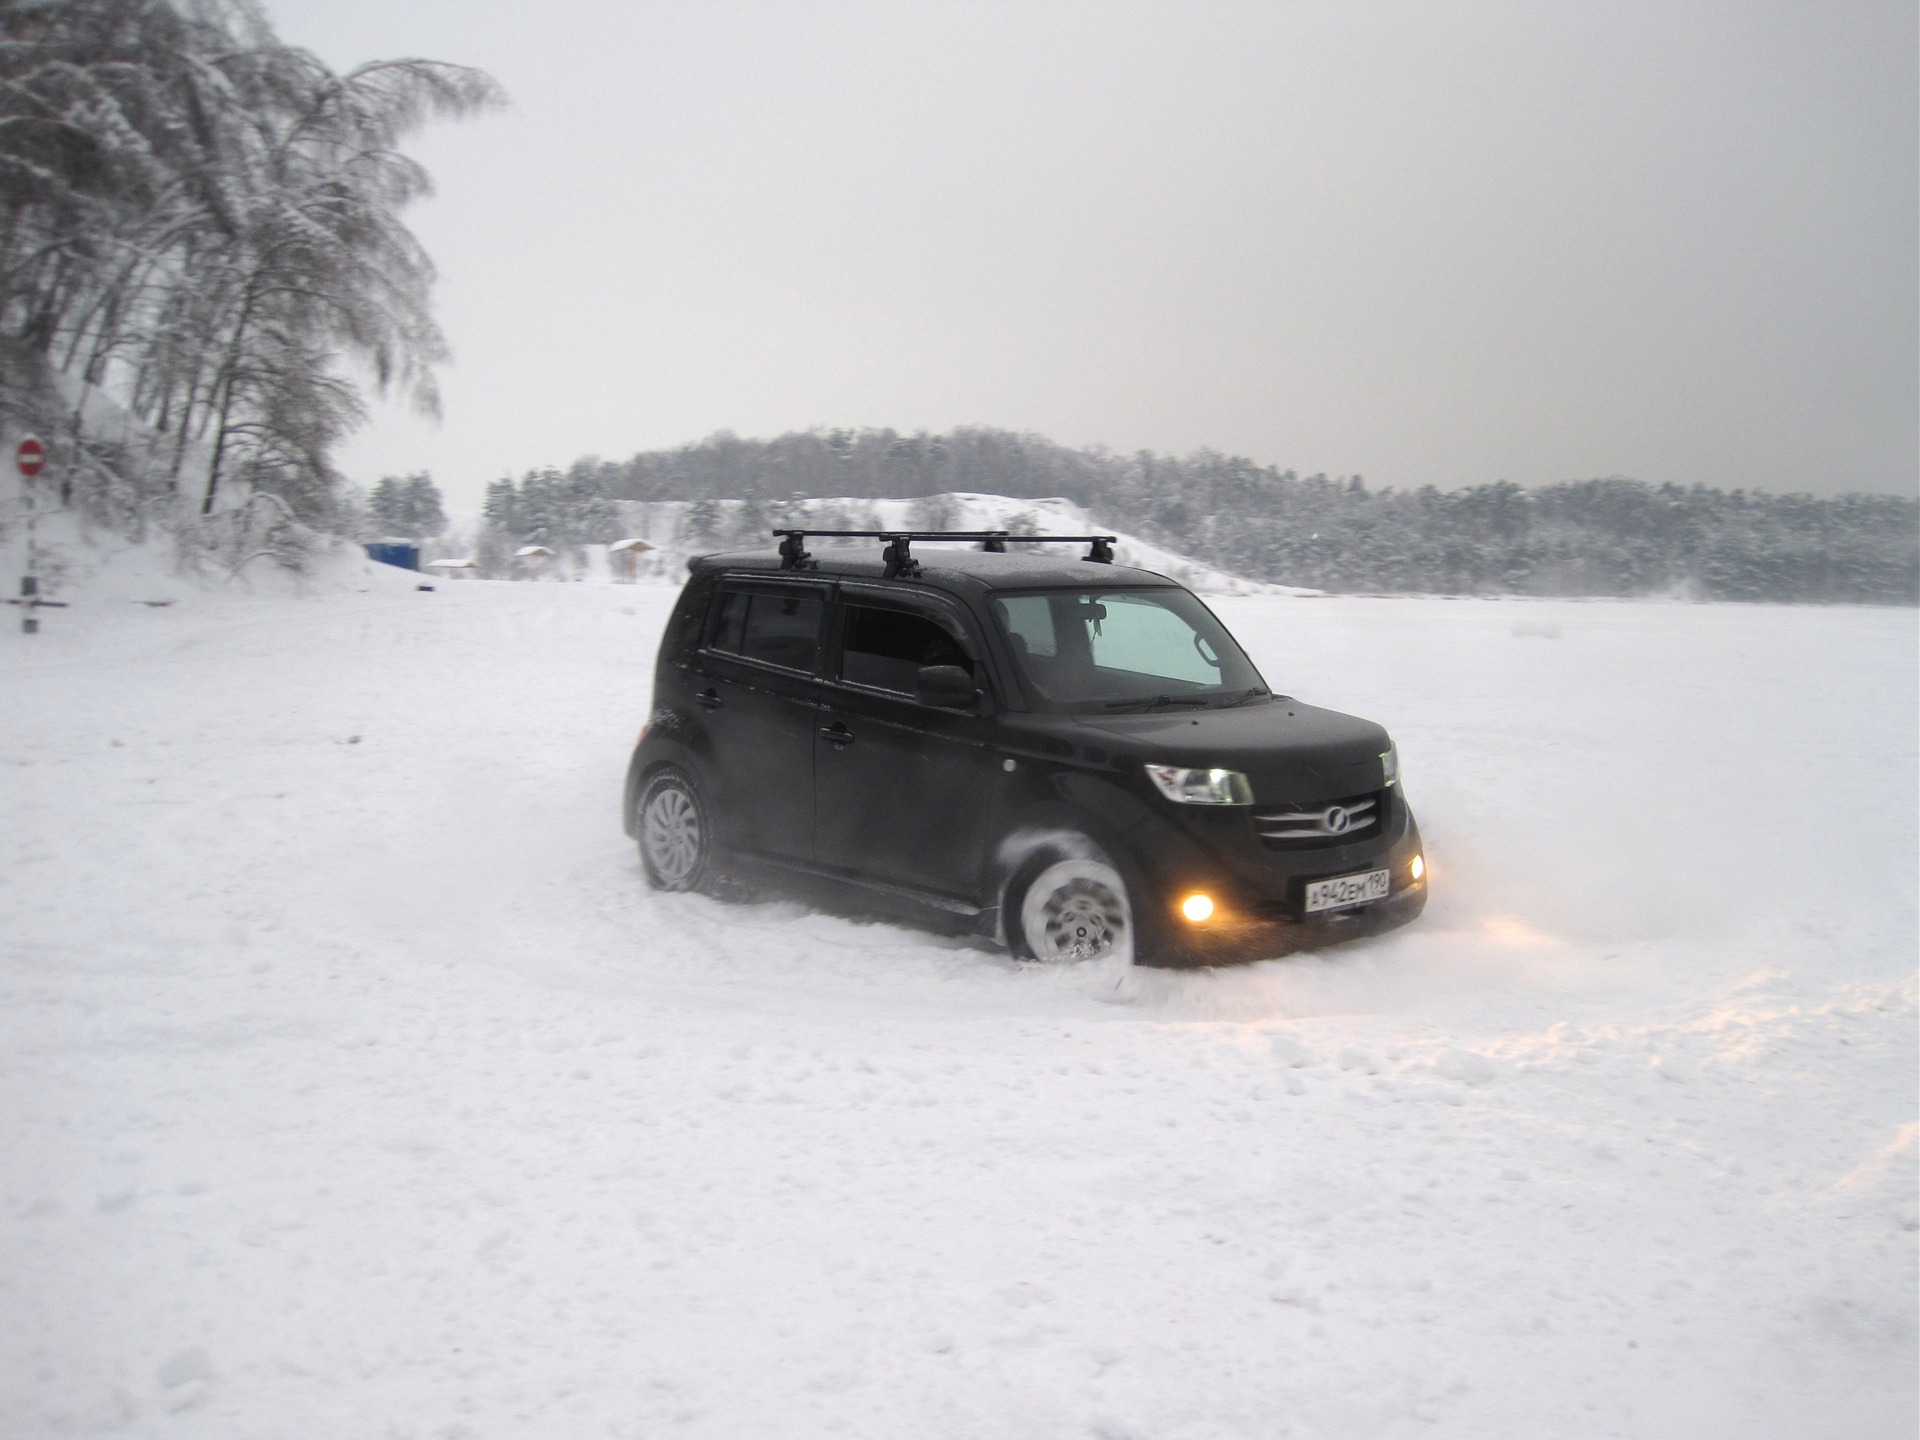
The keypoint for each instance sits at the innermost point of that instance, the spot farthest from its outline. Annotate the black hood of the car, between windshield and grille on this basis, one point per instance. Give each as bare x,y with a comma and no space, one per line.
1289,752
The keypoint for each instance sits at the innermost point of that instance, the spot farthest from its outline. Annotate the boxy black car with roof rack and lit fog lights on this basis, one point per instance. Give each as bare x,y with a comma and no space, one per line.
1061,752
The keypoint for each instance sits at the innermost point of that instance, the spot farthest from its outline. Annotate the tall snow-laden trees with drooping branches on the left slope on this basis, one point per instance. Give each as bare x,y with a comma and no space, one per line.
204,226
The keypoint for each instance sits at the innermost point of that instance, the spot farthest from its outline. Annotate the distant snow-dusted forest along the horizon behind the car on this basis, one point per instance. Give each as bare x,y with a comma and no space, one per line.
1610,537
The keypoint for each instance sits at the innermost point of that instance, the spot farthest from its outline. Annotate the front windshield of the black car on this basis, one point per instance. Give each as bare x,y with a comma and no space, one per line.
1124,650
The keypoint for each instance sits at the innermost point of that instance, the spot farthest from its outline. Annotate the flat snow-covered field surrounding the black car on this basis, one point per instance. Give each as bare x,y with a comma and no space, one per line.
354,1086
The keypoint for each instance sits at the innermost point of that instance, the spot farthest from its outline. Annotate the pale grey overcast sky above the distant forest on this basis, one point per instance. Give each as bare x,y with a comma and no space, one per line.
1426,243
